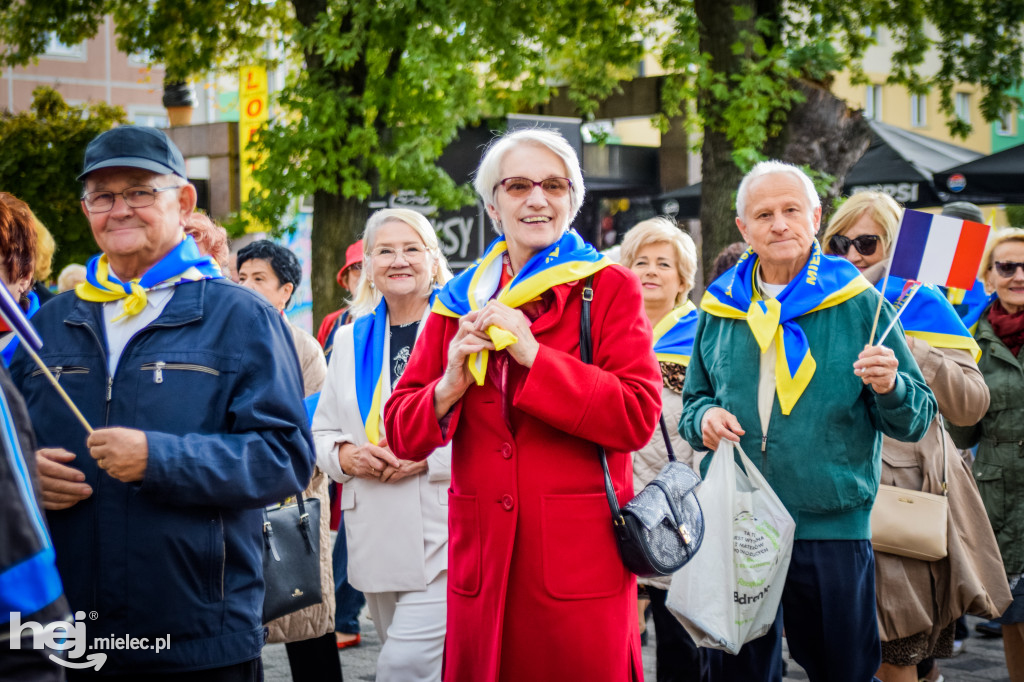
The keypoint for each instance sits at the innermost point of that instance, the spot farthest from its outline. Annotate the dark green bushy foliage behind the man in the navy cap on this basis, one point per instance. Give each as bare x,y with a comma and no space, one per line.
42,155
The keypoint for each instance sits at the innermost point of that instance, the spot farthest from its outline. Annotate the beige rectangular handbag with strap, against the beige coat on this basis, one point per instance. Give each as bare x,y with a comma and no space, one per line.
912,524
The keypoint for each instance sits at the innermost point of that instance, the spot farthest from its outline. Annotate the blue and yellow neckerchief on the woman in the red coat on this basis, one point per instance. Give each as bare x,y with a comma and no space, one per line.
569,260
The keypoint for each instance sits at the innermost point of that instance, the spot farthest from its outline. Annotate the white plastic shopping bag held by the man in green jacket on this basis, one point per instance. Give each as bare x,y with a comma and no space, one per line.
730,593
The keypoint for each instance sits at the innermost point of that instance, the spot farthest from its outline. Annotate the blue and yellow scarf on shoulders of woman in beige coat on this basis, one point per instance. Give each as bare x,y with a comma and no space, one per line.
930,317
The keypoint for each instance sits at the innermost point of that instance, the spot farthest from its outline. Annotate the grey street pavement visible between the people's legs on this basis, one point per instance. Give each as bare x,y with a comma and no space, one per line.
982,660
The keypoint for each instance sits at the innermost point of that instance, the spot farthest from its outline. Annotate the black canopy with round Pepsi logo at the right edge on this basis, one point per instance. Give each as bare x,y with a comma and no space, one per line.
998,179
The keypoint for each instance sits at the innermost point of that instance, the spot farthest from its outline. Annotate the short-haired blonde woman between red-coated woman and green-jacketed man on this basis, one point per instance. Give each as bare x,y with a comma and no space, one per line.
666,261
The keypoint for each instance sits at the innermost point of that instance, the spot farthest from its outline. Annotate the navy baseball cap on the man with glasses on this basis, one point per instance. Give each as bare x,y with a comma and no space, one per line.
135,147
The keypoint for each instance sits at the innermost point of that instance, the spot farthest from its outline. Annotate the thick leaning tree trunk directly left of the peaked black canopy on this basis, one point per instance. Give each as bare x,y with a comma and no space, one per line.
826,135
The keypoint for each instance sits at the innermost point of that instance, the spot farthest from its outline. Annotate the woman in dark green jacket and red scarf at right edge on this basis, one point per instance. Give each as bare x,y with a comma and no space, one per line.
1000,436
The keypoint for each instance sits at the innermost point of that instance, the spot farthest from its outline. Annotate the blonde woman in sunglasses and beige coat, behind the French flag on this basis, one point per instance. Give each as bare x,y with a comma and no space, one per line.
919,602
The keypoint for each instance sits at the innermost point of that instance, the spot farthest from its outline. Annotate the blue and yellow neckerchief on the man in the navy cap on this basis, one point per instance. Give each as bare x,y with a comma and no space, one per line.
184,264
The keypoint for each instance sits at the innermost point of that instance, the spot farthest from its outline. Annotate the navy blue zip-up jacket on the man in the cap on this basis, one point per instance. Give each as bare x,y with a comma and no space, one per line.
216,385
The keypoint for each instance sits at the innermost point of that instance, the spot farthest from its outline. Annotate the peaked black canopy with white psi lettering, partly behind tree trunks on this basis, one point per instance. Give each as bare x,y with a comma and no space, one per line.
898,162
